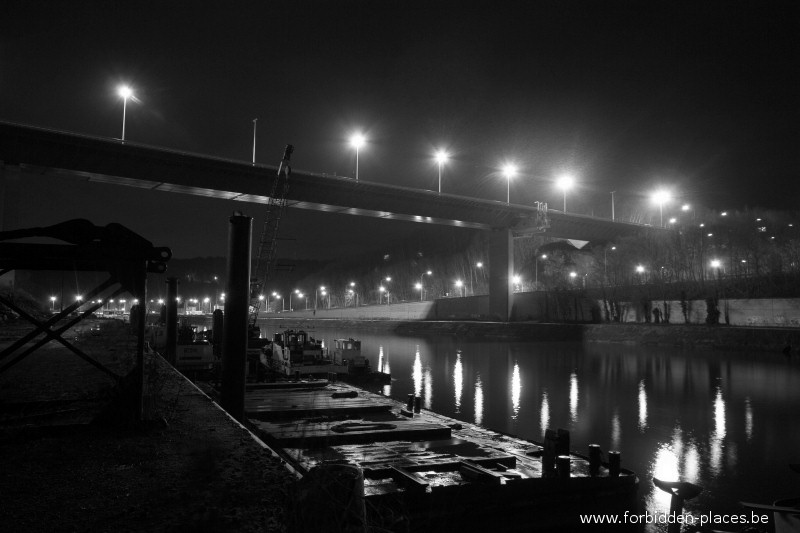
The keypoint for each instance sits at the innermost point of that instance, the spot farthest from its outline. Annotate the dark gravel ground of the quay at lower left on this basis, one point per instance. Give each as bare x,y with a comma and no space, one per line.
188,467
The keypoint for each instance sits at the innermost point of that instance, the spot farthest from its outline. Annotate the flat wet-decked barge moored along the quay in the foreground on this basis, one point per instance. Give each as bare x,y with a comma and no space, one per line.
414,470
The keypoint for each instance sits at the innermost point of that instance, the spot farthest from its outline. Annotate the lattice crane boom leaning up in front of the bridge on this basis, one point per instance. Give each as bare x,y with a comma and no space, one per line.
267,244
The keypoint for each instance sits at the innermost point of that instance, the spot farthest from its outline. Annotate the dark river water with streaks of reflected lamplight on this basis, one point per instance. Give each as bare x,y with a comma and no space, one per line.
725,421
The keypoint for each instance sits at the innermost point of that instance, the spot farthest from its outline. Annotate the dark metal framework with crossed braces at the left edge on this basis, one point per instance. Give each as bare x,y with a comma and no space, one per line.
125,256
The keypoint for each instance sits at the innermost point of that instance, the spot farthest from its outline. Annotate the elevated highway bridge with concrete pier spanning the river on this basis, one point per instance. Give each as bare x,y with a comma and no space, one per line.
27,150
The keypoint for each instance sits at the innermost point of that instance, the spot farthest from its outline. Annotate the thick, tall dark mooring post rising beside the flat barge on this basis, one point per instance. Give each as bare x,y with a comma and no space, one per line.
237,303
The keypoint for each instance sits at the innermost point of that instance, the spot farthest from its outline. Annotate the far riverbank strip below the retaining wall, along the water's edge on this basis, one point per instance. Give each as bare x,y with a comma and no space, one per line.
719,337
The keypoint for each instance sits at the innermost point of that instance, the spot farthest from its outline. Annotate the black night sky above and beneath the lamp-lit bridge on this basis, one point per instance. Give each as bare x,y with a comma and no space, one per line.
697,97
